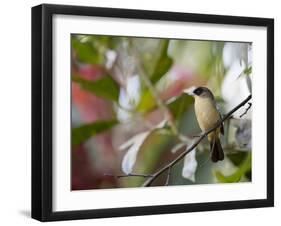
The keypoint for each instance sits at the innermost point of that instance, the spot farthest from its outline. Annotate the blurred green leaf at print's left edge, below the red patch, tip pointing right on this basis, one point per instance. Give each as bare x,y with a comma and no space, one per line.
82,133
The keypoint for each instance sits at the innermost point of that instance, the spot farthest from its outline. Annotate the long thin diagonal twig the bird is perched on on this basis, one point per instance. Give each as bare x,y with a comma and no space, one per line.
150,180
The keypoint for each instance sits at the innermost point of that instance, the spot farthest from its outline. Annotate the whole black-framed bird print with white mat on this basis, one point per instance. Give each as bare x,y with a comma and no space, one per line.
147,112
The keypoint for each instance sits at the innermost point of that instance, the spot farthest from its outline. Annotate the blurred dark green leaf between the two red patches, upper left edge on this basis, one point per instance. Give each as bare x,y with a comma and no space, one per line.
105,87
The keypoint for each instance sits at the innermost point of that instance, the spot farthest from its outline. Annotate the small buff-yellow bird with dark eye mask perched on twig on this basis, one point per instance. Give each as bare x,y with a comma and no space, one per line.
208,116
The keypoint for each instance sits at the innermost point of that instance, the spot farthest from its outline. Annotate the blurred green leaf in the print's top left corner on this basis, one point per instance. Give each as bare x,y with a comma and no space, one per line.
86,52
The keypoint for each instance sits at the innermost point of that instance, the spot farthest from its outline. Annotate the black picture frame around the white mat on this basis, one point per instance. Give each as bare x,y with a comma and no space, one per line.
42,107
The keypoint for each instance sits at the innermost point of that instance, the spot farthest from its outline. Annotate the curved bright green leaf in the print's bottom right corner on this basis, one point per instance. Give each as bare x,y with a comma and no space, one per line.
243,169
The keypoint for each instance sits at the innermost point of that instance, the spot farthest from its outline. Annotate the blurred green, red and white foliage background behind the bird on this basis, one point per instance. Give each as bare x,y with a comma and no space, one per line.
127,94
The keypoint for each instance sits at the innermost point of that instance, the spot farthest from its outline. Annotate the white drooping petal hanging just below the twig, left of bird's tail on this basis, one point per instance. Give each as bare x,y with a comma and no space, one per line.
189,166
